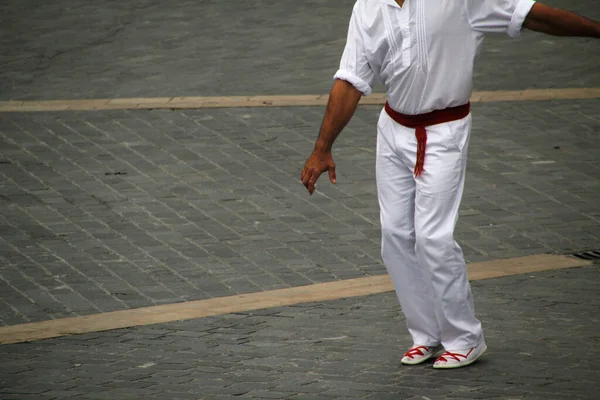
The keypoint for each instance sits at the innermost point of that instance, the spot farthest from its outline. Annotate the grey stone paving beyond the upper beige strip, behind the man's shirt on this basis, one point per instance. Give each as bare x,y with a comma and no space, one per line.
74,49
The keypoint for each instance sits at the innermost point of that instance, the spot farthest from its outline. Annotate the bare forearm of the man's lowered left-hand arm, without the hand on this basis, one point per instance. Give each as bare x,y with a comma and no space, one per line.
343,100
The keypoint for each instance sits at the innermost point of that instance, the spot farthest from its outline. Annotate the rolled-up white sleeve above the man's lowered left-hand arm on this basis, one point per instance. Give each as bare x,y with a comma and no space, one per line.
354,66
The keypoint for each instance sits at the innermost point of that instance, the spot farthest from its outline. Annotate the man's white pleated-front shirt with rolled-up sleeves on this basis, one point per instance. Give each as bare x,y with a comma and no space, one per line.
424,51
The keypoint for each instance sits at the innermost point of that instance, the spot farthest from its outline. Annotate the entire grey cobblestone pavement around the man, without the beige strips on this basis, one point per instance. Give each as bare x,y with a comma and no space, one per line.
110,210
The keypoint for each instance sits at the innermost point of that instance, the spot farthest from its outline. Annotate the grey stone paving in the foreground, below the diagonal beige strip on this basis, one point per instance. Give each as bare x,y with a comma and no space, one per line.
541,331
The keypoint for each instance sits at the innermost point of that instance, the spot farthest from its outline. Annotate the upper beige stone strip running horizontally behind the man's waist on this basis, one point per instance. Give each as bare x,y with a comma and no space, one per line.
273,101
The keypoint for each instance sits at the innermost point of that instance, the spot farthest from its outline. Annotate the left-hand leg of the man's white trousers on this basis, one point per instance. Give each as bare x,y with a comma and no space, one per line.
396,192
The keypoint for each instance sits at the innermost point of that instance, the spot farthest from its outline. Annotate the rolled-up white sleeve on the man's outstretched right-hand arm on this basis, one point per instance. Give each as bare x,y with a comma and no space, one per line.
498,16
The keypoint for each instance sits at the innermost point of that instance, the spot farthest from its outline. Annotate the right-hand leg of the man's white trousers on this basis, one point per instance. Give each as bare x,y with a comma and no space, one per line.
438,194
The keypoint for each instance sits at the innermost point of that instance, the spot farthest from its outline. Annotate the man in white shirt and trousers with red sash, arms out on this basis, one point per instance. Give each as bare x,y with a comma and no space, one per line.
423,51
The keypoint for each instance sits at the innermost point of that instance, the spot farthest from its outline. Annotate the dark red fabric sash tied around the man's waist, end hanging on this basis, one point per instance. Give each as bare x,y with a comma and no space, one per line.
421,121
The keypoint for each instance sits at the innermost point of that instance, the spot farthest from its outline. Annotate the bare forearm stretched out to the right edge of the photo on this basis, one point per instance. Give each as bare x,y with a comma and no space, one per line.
553,21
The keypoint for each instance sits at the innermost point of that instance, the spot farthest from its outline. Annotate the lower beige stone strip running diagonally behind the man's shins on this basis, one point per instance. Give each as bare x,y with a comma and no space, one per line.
254,301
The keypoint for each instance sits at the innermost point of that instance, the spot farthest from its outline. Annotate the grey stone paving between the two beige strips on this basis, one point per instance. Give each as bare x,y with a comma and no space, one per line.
101,211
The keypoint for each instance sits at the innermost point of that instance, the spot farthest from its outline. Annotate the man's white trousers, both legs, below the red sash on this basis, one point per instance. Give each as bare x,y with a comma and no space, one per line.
418,217
